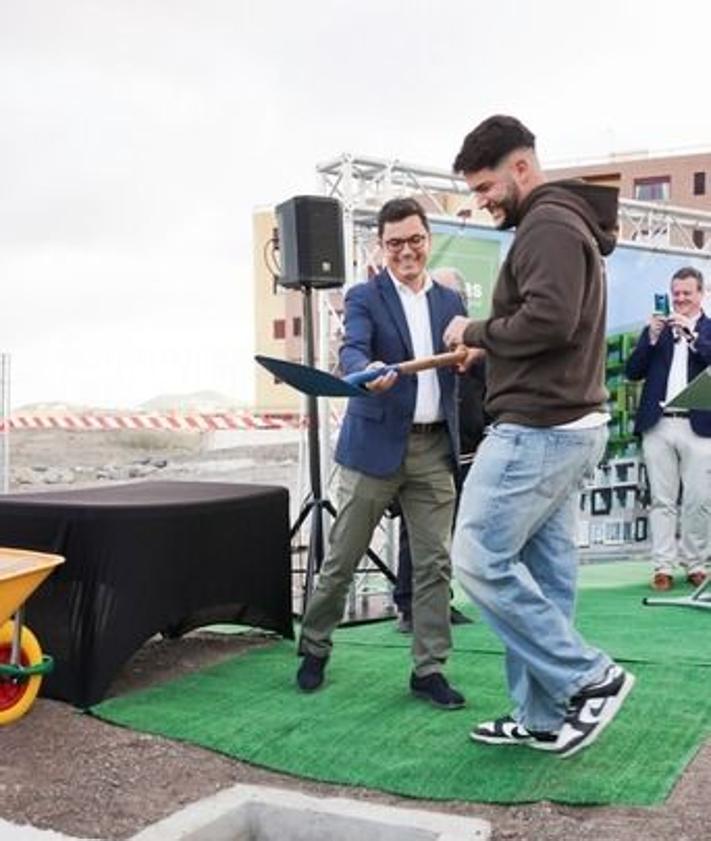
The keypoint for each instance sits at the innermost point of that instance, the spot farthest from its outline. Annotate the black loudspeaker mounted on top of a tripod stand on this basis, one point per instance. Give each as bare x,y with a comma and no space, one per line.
311,242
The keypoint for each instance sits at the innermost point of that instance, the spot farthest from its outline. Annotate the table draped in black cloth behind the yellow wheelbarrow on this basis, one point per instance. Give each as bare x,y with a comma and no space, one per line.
148,558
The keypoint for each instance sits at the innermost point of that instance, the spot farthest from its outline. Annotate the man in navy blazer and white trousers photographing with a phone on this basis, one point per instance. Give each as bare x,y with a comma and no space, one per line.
676,443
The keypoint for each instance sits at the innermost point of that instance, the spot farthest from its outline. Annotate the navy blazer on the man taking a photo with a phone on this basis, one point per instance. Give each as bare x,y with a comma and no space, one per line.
652,363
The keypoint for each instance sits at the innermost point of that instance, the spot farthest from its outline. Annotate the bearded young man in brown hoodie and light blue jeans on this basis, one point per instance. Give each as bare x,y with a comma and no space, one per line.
514,551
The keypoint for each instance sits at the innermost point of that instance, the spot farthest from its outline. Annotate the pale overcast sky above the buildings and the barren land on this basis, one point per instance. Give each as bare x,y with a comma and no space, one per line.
136,138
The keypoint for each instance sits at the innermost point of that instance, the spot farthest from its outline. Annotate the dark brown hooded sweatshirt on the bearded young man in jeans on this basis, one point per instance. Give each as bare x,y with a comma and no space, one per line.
545,339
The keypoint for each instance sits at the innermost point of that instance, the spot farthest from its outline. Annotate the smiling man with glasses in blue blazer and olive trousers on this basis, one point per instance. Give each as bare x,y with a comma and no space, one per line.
399,441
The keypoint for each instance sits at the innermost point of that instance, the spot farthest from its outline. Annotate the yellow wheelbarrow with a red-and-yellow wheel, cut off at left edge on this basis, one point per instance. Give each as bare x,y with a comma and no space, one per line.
22,663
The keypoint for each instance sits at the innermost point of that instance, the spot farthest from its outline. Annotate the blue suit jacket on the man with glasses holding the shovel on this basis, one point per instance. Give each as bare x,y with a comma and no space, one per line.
373,437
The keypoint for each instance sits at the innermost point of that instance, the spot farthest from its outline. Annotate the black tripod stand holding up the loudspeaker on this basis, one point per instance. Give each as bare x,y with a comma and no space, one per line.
318,504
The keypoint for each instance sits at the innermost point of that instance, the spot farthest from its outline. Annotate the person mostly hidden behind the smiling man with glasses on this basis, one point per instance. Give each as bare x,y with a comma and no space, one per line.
472,422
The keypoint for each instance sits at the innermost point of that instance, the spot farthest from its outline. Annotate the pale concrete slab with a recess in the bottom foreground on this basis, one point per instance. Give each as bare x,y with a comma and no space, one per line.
258,813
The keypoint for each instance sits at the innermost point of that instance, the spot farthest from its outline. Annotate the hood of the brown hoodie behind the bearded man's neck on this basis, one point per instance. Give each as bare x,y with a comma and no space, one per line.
596,204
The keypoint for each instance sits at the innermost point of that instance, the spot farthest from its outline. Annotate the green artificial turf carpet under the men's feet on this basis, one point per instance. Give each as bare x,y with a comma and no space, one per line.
363,728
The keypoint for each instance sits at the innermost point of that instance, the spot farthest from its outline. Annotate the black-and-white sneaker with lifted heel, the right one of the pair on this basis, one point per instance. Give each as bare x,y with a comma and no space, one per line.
592,709
